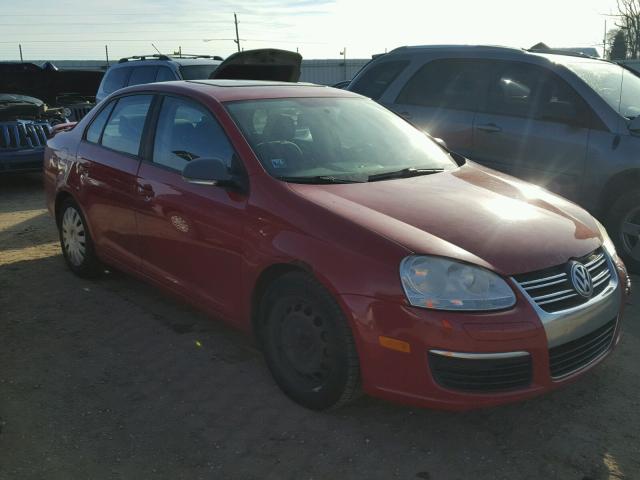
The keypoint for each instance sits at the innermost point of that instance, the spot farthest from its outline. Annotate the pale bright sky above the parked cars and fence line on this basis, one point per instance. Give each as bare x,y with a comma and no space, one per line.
80,29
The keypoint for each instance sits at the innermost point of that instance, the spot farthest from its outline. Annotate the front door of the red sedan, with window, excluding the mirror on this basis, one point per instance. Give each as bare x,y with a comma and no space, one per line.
190,235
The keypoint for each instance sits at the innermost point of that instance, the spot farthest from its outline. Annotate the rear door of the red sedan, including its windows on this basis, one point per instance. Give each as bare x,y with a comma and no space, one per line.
109,156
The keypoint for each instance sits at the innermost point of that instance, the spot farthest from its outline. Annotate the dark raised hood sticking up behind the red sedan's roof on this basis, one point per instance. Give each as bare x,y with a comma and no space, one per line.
261,64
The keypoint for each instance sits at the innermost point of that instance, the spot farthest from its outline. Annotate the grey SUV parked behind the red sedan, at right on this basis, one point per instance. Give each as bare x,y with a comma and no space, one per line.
568,123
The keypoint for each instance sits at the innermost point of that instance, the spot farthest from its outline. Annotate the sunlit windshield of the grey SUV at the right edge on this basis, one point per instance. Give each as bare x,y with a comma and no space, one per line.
617,86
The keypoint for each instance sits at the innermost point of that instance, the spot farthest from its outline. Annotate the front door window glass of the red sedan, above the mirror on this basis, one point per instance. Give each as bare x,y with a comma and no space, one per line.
187,131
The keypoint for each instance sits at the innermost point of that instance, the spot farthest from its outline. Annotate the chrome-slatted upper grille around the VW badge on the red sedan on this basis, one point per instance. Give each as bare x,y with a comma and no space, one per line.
551,289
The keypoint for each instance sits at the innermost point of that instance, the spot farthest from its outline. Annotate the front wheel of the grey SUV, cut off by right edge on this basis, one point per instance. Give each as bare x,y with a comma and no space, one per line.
624,225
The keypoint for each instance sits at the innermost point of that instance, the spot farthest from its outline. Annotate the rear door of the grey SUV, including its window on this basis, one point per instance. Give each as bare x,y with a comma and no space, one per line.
442,98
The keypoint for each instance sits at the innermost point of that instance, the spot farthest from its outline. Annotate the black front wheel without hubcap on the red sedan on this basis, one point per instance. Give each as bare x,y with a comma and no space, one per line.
308,344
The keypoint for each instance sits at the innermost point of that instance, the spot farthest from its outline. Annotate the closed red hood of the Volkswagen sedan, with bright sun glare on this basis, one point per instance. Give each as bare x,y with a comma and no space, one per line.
471,213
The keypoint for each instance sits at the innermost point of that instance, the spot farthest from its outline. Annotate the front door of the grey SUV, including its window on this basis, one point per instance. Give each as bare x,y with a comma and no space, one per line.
535,126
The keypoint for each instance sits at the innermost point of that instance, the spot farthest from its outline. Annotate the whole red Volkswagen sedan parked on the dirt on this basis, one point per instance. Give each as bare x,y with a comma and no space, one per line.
362,254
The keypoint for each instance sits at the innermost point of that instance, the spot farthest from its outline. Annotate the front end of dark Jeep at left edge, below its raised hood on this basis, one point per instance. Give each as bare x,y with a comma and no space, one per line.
25,125
